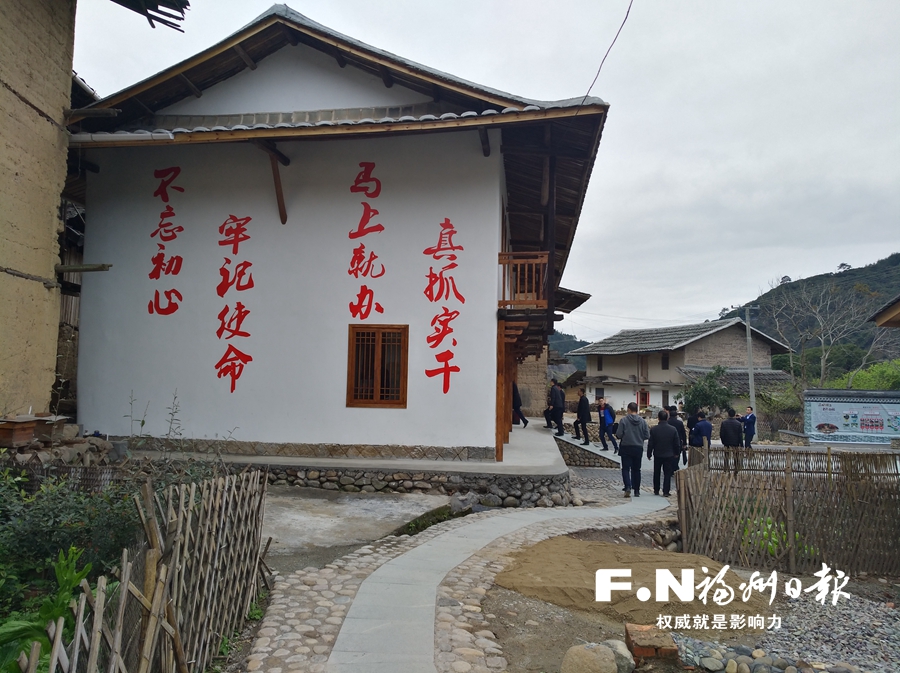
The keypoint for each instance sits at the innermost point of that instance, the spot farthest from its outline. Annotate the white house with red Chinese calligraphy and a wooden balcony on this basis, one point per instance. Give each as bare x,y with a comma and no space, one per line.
319,248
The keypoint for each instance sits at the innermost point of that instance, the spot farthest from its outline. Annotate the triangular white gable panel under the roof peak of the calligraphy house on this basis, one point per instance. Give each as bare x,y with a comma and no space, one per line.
295,79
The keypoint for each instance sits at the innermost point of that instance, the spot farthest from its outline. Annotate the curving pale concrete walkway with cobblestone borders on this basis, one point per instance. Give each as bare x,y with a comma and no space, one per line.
381,607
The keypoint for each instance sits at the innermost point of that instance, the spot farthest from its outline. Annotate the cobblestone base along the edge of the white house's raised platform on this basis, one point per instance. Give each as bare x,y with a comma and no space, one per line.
496,490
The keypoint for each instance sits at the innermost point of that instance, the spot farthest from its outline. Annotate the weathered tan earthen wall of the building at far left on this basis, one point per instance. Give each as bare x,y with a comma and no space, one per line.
36,38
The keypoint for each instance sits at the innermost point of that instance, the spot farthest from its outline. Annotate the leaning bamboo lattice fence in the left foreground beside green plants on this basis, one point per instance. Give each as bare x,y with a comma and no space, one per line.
180,594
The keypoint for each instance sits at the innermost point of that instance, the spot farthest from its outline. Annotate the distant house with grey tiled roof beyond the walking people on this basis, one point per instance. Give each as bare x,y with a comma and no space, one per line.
651,366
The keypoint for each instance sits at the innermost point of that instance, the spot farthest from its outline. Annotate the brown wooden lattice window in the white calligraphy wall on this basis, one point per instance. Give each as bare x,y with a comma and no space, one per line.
377,366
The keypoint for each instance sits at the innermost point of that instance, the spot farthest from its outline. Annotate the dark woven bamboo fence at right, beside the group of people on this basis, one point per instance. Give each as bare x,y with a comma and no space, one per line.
792,510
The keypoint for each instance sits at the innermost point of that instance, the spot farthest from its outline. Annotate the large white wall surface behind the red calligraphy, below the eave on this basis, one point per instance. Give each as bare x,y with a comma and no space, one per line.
295,388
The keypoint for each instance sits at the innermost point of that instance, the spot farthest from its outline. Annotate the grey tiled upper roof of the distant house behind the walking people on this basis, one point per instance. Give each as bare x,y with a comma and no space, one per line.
666,339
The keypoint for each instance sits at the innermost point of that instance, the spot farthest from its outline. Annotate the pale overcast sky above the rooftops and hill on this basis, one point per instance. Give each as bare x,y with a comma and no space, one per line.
746,141
